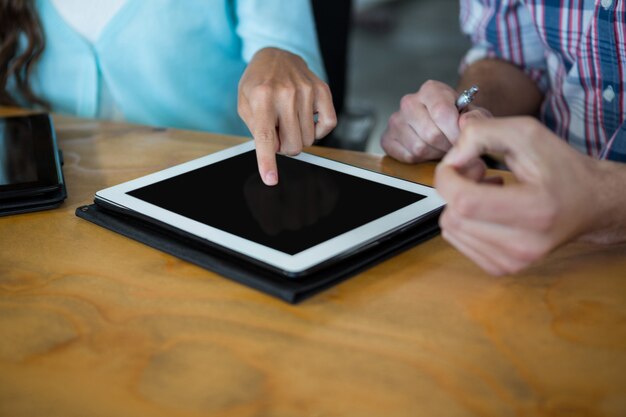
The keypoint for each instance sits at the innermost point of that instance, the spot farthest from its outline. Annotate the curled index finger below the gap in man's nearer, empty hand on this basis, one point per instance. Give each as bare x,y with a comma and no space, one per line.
513,205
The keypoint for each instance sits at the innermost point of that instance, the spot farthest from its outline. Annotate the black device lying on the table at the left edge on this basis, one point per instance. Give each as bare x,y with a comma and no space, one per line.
31,176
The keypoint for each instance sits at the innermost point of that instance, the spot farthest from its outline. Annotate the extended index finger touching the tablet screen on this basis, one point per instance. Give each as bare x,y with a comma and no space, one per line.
266,142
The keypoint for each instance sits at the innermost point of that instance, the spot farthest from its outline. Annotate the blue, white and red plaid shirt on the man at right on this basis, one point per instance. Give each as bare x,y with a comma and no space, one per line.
575,50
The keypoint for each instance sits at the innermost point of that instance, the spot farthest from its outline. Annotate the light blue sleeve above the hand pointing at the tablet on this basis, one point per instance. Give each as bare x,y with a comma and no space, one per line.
284,24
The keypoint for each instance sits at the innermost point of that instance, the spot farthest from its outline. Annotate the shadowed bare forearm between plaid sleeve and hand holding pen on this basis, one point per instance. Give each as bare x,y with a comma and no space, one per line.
505,90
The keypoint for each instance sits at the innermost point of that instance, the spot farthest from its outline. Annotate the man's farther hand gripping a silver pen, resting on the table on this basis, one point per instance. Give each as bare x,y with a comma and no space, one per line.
427,124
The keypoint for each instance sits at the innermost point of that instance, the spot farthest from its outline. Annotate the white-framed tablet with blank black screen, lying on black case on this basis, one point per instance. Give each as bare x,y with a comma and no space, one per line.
320,212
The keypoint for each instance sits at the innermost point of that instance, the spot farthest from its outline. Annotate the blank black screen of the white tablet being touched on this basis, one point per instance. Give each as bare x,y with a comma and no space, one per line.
311,204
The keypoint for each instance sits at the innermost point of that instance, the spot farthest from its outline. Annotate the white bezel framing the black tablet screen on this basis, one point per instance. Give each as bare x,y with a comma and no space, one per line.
290,264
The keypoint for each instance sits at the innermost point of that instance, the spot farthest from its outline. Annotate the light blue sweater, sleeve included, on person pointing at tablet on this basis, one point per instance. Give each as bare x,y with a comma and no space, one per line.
170,63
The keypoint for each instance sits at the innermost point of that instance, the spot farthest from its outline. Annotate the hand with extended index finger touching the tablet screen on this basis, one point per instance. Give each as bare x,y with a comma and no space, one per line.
278,98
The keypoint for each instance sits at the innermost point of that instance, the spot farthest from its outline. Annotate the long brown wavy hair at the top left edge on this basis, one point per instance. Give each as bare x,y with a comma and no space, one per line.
18,19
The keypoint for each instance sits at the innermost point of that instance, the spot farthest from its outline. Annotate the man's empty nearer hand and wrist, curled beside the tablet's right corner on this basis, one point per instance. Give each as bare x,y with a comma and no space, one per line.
559,195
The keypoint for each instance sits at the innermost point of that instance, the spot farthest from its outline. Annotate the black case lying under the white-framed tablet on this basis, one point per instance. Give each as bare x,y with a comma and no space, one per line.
293,290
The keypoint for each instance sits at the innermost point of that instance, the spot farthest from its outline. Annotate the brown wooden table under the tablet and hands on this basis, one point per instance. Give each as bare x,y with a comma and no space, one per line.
95,324
